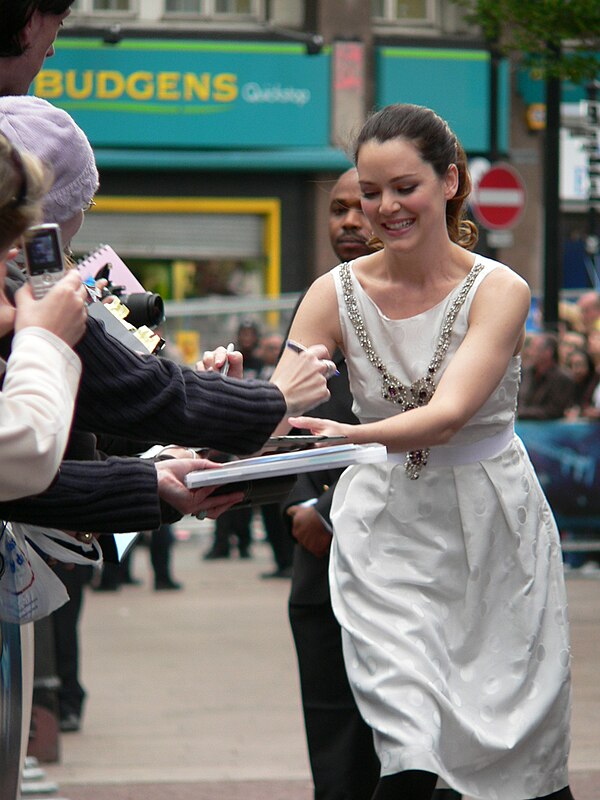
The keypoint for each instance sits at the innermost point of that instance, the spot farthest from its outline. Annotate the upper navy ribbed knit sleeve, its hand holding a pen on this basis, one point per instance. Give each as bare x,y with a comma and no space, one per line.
153,399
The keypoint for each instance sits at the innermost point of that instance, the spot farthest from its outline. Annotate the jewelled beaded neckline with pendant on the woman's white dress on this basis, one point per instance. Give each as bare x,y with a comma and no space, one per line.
419,392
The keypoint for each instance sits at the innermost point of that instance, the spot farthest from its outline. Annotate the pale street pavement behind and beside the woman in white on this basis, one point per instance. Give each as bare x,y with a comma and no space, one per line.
193,694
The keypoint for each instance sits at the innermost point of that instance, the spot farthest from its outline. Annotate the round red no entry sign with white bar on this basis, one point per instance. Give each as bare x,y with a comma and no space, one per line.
498,199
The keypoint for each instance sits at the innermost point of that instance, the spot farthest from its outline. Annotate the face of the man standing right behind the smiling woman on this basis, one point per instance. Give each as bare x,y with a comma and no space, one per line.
348,227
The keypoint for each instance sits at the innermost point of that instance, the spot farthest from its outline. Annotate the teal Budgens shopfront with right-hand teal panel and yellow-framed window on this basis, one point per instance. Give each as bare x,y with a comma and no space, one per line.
239,132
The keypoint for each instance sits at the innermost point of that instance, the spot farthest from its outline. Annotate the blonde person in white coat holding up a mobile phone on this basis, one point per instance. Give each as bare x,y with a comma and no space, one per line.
41,376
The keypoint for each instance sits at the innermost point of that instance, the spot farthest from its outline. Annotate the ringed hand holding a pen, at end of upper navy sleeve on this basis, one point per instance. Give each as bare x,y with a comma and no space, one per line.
302,378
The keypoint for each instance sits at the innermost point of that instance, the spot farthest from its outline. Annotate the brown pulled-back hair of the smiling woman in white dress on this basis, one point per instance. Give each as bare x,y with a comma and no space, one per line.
438,146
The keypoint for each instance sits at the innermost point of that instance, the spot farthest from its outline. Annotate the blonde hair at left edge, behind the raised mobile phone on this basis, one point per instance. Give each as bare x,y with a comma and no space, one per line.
23,183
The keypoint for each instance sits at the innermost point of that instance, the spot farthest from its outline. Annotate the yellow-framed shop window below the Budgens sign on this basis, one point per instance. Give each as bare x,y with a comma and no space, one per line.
188,248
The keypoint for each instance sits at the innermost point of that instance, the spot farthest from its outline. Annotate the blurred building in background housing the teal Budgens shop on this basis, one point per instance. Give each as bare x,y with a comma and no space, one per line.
218,126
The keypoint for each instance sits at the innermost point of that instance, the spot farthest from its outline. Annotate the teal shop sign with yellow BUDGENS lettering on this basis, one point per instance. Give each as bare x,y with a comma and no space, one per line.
174,93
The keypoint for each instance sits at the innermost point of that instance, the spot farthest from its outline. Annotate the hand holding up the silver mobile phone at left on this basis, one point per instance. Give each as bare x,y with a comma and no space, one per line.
63,311
